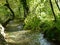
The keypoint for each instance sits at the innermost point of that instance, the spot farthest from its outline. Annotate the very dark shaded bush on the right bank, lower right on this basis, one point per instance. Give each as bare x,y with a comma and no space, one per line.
53,34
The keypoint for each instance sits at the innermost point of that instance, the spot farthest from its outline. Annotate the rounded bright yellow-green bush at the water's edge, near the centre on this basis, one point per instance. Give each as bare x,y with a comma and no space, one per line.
32,22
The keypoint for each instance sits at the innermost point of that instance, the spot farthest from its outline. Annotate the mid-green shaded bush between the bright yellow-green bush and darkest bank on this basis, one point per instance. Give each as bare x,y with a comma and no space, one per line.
46,25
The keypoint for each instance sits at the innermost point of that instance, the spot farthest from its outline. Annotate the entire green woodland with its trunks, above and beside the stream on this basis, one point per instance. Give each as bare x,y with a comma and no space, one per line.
36,15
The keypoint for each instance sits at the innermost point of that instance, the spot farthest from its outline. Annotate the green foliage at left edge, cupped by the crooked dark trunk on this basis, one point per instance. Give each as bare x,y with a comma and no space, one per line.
4,14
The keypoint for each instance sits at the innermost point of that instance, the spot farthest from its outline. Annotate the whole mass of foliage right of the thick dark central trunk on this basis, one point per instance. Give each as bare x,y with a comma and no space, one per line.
45,15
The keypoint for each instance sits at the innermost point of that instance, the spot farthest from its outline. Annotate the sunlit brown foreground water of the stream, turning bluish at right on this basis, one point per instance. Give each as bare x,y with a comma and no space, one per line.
25,37
